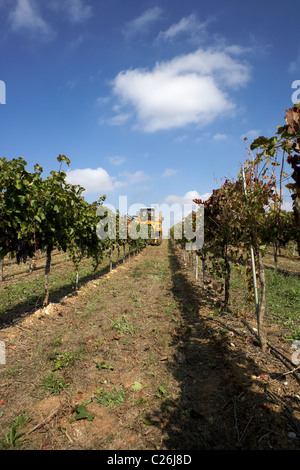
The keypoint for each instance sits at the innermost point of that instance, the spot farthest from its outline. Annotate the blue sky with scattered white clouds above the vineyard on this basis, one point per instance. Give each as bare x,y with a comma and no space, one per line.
149,99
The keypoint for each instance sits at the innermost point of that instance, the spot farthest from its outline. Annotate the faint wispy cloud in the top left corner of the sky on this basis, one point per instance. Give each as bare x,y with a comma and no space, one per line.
25,17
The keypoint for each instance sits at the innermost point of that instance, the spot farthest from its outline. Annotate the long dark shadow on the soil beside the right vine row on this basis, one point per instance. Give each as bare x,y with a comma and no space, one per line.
220,407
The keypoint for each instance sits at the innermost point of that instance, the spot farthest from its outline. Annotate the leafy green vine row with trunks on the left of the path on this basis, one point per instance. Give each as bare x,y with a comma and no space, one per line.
49,213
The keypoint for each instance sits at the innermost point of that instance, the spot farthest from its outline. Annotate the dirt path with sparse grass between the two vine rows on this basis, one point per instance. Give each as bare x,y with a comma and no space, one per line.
141,357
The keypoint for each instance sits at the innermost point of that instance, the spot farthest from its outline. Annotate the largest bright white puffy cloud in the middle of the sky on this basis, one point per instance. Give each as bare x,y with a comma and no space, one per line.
186,90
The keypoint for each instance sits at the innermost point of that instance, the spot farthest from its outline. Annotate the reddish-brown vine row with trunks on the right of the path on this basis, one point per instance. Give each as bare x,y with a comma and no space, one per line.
245,216
